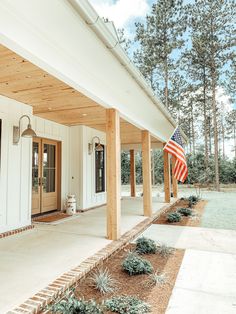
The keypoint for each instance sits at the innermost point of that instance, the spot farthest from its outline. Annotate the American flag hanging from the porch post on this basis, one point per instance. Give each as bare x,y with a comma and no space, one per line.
175,147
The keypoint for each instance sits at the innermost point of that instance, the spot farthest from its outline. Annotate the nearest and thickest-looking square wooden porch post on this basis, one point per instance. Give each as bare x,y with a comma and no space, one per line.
113,174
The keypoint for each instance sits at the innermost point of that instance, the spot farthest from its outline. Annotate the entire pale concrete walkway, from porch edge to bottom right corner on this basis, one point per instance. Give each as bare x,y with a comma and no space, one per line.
207,278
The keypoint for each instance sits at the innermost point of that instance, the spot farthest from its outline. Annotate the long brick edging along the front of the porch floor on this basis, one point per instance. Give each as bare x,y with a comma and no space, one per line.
69,279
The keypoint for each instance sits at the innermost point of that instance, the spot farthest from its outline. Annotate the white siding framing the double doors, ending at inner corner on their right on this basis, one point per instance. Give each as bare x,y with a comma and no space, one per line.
16,163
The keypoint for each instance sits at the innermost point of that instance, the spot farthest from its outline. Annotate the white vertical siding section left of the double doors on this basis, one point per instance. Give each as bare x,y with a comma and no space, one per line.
15,175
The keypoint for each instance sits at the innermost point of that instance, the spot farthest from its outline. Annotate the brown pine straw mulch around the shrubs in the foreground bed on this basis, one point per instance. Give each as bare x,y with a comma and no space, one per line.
157,296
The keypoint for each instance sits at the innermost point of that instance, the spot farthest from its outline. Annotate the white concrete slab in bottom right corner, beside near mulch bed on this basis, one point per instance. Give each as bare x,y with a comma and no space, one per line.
205,284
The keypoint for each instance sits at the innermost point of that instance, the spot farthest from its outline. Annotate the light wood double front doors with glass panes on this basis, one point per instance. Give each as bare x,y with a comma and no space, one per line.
45,175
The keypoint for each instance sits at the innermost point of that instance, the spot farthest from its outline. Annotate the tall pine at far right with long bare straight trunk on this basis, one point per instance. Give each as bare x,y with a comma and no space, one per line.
211,23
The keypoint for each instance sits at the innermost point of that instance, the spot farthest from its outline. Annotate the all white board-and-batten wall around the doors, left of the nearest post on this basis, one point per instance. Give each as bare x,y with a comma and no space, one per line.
78,167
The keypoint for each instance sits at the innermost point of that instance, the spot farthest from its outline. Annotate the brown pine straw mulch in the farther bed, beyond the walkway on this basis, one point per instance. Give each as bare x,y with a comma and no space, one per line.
191,221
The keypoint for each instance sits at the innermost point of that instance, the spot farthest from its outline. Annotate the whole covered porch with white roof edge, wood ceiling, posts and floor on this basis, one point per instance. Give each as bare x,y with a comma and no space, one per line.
76,85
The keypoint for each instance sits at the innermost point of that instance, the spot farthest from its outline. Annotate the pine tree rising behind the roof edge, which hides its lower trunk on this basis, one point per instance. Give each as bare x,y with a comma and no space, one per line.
158,39
